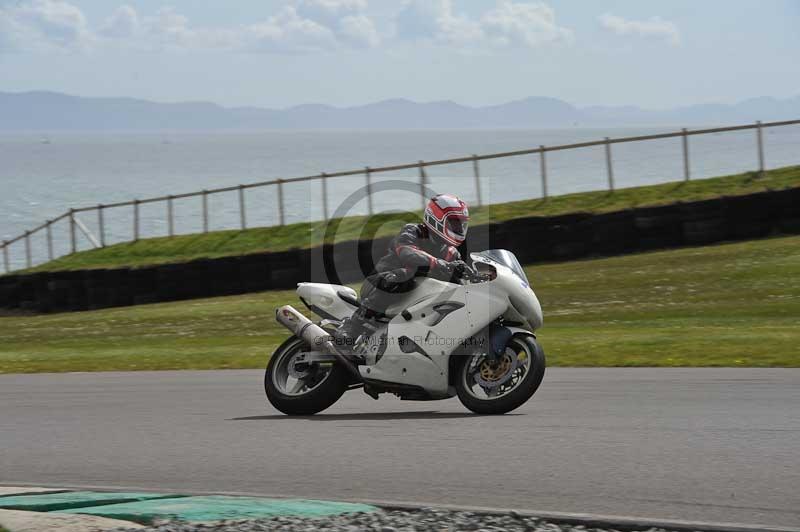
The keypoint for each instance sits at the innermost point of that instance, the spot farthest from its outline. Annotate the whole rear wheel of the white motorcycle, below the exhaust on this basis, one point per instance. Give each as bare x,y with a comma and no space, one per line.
302,389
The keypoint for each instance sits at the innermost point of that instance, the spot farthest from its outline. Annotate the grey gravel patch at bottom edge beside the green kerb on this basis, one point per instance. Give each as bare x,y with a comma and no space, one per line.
426,520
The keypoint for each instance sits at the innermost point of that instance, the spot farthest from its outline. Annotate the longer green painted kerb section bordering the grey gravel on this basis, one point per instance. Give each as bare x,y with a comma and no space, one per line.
219,508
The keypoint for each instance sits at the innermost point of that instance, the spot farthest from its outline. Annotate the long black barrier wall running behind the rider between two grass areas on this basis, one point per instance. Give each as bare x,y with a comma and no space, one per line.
534,239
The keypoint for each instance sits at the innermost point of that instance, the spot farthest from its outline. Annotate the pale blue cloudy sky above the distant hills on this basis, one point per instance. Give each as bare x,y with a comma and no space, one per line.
655,54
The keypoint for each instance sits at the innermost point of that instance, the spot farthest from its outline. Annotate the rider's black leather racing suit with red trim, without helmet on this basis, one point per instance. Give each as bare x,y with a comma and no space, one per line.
412,253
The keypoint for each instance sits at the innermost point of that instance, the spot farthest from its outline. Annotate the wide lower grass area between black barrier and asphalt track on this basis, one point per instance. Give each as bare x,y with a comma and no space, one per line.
725,305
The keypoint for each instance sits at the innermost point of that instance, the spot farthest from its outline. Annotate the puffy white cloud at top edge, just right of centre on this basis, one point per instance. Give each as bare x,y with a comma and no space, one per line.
507,24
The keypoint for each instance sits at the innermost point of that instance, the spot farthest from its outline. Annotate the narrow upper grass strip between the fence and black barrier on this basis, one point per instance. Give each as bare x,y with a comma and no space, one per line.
225,243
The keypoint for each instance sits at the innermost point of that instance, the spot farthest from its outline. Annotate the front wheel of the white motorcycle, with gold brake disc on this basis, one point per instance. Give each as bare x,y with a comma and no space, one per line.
488,386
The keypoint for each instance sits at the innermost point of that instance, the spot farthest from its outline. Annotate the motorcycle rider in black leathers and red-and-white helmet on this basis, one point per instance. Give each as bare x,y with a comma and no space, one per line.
426,249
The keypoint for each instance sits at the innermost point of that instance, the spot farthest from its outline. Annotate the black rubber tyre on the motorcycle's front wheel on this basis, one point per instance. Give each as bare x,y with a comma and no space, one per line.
516,397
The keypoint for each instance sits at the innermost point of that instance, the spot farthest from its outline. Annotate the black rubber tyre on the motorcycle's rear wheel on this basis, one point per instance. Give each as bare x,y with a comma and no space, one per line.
311,402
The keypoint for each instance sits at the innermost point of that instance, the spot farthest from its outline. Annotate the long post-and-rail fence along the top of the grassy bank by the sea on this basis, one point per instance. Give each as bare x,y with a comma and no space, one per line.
76,227
